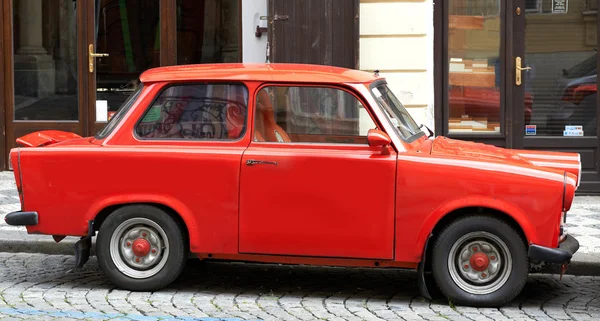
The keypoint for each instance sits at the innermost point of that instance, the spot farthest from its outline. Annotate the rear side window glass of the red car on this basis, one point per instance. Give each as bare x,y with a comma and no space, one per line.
197,112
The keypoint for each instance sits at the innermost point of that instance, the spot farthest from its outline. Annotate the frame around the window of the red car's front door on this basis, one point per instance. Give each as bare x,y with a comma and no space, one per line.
346,89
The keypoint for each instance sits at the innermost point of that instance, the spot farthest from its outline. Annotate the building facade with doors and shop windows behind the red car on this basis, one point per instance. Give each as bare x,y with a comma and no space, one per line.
511,73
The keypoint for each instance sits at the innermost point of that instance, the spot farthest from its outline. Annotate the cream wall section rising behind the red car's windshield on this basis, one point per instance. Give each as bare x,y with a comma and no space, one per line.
396,37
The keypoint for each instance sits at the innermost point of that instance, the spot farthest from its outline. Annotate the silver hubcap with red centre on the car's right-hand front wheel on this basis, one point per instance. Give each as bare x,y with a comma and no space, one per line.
479,263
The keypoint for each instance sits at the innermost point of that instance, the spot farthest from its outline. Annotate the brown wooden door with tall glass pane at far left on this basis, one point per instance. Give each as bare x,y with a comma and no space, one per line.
42,81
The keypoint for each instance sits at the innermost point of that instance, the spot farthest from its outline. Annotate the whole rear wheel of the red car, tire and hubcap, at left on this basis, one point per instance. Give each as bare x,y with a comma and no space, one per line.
141,248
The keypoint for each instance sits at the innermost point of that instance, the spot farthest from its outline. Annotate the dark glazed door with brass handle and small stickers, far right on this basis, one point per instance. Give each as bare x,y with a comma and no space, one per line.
556,103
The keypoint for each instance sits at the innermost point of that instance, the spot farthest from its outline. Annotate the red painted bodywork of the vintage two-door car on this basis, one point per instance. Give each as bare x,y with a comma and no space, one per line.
330,204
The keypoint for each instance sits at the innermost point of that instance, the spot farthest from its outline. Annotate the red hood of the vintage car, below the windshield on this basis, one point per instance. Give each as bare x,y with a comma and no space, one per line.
568,162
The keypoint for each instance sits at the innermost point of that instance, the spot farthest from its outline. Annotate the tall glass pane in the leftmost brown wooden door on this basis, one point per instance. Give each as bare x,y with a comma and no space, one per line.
45,60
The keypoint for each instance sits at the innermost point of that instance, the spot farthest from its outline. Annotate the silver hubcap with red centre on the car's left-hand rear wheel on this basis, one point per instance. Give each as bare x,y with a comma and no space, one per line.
139,248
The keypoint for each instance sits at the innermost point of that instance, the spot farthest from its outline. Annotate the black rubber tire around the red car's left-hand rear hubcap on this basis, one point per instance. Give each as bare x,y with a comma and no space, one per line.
174,263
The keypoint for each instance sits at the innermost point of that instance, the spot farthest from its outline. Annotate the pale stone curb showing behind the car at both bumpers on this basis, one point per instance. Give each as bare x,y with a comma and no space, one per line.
582,264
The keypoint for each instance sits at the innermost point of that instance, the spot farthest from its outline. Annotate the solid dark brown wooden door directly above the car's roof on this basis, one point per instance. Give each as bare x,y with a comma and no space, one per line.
321,32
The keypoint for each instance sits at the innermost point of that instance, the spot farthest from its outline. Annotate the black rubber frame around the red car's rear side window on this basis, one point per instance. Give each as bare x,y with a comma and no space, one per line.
198,140
